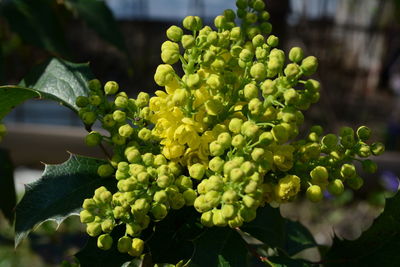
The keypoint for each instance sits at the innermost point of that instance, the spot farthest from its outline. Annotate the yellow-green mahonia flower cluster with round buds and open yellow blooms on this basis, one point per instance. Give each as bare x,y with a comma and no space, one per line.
221,138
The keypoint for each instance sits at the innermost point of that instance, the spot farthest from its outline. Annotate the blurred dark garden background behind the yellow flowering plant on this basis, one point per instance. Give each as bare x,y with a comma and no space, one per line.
357,43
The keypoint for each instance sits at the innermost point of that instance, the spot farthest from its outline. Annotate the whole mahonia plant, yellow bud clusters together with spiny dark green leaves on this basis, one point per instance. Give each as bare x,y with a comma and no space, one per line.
195,169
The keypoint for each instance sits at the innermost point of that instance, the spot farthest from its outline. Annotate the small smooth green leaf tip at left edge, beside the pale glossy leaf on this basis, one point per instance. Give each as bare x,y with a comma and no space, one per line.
11,96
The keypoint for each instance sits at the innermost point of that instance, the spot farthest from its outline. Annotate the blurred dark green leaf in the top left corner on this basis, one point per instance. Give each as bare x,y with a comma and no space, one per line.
37,23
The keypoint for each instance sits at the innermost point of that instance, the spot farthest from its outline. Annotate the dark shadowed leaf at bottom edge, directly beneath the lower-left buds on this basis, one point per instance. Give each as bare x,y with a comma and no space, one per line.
91,255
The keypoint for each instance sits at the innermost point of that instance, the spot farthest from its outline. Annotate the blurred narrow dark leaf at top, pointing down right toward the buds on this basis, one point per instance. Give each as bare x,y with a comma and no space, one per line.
100,18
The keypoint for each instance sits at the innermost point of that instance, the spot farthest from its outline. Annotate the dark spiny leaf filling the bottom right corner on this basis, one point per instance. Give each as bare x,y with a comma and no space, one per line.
377,246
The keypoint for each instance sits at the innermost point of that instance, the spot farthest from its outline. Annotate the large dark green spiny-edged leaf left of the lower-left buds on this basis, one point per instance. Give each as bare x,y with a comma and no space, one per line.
59,193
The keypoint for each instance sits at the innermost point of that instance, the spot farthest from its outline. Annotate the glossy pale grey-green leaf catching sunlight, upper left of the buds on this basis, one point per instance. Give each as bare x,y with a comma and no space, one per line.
59,80
